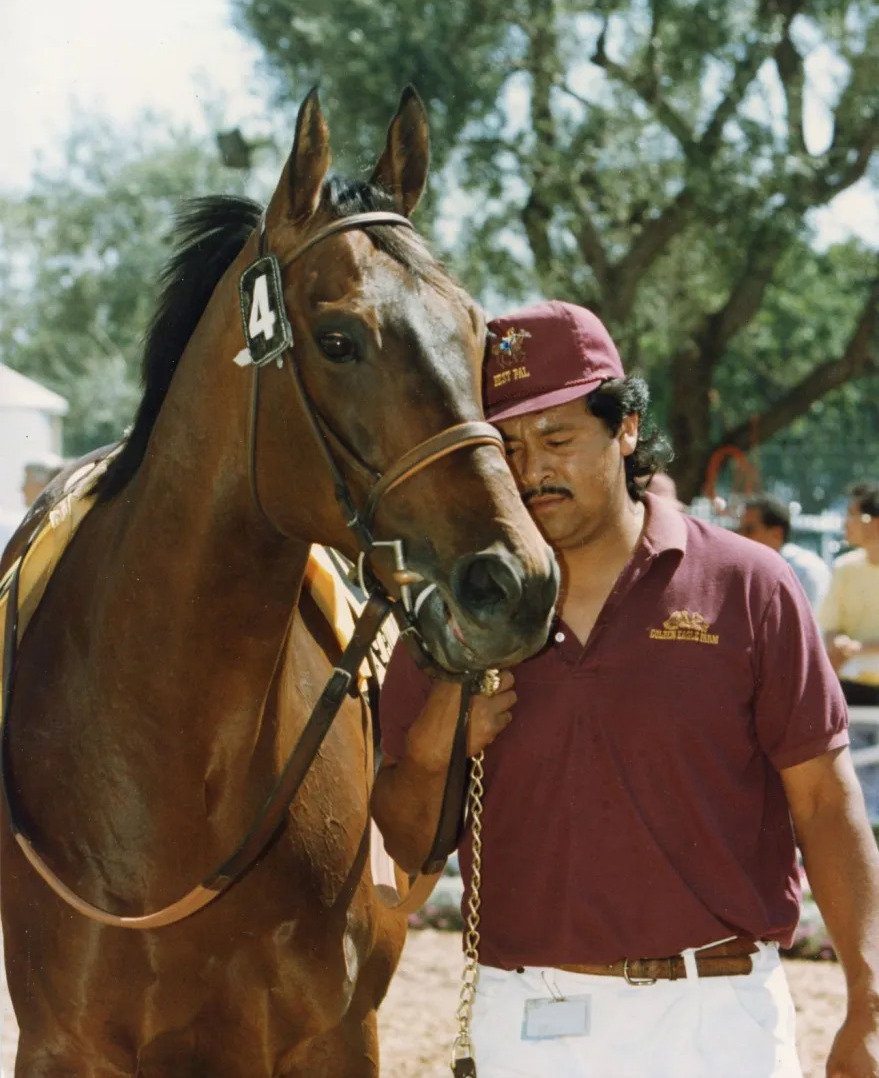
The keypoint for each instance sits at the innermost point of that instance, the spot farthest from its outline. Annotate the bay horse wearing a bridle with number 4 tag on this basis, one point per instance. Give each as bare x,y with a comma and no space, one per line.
173,662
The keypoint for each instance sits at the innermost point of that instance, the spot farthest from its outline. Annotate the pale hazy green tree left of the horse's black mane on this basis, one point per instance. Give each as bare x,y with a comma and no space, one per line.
79,257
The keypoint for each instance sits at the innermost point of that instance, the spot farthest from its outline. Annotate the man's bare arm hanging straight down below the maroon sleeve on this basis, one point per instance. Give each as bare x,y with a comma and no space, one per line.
843,864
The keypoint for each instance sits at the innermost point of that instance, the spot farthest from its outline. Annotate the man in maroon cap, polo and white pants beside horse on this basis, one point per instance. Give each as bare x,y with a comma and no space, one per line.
642,771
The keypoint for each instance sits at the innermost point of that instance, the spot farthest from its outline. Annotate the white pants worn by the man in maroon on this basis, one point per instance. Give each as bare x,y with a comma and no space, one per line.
738,1027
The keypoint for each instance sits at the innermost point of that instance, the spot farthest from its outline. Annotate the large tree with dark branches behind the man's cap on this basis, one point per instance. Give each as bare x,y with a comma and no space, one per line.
650,159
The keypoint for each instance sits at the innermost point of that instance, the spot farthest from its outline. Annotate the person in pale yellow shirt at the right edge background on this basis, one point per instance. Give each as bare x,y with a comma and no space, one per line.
850,614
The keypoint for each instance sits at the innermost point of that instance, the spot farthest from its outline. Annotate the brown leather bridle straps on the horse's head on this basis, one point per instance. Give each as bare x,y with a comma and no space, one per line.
433,449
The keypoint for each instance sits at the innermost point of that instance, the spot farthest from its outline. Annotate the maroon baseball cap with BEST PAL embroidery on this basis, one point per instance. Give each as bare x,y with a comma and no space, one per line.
545,355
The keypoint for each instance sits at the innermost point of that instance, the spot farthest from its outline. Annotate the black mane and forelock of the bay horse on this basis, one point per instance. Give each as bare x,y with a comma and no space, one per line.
209,236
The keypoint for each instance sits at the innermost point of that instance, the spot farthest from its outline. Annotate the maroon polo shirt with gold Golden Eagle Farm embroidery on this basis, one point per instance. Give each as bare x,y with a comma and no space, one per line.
634,807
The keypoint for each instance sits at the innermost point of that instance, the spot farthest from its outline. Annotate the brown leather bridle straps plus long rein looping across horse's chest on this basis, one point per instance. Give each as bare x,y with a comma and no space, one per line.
345,675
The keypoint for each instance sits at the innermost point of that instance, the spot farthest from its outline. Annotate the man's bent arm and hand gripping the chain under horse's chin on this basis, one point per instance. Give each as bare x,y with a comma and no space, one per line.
407,798
